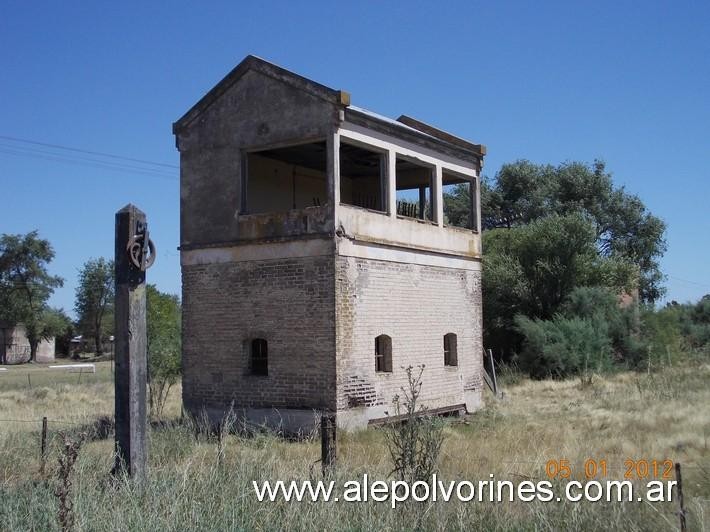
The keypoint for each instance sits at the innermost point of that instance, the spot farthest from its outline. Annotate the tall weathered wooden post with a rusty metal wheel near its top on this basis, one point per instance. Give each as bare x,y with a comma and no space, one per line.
130,374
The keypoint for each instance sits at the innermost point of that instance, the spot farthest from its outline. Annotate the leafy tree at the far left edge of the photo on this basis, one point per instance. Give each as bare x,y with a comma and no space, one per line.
26,285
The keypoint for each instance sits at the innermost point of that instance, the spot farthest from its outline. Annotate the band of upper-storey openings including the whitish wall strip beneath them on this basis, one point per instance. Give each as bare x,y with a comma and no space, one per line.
380,190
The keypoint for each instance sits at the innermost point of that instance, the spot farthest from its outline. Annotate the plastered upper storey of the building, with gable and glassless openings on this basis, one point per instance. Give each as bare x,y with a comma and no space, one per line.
270,154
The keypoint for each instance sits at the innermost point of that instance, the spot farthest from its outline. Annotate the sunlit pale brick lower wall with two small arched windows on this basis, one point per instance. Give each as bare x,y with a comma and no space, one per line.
416,306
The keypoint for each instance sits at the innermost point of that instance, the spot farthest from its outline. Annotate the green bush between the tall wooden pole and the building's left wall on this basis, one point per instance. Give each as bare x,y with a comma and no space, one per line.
164,345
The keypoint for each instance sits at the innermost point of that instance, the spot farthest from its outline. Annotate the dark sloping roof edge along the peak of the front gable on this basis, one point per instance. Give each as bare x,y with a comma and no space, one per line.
257,64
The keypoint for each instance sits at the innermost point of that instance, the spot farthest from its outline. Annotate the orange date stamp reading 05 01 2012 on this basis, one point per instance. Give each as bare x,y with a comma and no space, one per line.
591,469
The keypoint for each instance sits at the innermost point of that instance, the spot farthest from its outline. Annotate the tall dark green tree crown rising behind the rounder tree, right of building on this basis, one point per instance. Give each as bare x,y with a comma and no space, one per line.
523,192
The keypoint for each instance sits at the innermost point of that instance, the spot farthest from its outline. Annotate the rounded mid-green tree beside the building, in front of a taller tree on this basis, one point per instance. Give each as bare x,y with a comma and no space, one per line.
531,269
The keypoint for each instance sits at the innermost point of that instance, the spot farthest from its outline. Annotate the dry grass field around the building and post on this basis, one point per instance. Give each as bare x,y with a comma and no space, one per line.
664,414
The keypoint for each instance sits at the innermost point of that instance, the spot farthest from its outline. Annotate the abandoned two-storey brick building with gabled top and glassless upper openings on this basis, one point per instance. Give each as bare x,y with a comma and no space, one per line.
318,260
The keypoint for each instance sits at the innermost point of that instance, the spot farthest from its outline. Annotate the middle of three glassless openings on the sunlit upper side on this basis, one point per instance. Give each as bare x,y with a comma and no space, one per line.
415,183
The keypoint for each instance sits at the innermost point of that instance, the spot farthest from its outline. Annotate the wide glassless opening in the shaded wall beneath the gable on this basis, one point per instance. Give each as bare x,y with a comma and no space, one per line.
282,179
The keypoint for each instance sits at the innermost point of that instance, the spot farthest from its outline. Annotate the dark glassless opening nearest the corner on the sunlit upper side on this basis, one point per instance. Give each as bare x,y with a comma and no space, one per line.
362,177
